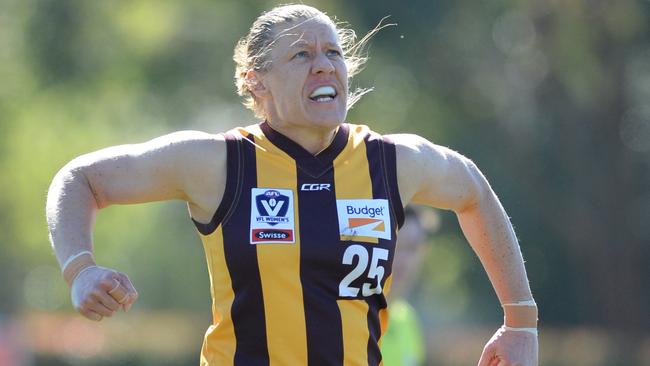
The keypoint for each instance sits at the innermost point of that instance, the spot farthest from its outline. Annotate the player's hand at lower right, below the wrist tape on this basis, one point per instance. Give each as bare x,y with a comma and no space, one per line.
510,348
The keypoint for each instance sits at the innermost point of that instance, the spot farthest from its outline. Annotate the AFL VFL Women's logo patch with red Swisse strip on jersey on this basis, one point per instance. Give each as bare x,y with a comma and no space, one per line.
272,216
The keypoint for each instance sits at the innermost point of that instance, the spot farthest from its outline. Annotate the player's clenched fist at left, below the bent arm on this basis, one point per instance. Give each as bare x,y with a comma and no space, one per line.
98,292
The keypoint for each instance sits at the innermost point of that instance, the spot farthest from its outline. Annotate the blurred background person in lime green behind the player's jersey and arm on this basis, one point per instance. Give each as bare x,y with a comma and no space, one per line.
404,343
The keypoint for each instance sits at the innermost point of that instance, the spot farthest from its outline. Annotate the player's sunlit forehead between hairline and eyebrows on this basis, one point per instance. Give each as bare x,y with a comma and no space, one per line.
303,32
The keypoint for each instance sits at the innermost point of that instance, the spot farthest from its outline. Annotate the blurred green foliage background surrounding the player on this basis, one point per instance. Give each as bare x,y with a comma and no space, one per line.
550,98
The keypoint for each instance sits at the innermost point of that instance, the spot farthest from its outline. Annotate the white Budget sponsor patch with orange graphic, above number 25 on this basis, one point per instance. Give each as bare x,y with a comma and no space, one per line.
364,217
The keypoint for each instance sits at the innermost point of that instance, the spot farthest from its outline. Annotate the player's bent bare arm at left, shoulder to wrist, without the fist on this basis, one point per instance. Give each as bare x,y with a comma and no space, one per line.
185,165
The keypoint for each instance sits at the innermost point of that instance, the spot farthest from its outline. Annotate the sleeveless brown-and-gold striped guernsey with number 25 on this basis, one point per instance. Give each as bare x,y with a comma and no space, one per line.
299,251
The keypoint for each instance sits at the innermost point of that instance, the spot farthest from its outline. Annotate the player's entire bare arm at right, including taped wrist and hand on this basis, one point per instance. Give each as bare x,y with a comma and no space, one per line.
439,177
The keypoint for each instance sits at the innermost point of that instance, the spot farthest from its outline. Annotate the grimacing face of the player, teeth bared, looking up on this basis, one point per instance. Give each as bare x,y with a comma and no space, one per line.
306,84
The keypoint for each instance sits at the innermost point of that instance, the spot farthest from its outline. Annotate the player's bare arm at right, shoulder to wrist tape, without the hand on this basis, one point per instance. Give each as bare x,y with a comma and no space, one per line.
439,177
